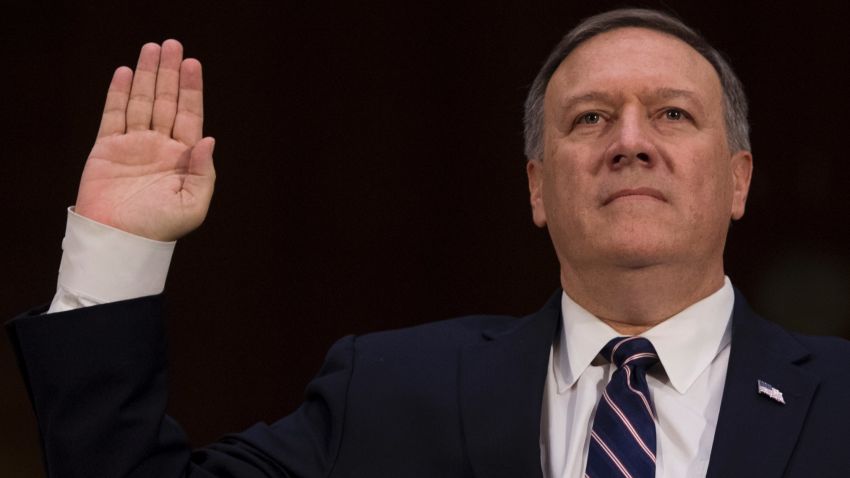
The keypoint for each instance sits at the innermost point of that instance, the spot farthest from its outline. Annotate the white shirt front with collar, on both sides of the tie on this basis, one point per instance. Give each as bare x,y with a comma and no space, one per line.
686,386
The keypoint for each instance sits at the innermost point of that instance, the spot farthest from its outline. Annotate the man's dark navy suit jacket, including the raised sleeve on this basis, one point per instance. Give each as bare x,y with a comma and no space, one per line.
459,398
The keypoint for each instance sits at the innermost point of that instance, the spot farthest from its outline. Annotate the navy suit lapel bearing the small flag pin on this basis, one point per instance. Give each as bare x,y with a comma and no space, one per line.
755,434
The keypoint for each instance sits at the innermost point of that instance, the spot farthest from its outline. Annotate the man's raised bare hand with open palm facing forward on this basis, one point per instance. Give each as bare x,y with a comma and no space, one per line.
150,172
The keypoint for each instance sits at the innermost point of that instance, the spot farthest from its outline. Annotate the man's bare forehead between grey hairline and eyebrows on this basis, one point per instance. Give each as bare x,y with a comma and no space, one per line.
633,60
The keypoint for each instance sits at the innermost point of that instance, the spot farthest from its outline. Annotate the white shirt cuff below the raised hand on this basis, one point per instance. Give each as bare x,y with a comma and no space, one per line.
102,264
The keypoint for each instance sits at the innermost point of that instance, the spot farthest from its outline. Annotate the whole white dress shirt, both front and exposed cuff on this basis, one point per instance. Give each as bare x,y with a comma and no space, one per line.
101,264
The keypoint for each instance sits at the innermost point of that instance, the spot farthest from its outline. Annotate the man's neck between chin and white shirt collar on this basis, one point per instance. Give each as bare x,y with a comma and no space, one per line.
633,300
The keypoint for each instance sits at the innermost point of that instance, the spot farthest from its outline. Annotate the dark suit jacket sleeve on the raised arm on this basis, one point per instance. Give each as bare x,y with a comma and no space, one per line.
97,381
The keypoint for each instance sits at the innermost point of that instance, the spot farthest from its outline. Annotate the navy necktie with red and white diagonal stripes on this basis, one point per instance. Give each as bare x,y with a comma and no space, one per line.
622,440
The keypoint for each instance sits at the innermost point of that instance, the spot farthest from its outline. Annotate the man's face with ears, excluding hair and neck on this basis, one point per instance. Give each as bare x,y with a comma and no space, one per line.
636,170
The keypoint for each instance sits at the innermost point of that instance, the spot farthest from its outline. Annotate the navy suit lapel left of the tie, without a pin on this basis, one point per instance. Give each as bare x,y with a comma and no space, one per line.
501,395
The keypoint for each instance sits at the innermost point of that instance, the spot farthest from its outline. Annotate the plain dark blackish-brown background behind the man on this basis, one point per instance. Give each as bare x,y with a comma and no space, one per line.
371,176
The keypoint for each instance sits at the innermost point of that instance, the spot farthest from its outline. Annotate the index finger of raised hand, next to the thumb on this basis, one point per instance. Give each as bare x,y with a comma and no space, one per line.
188,125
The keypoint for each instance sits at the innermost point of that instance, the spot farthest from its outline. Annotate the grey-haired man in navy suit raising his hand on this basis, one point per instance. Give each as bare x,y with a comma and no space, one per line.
638,158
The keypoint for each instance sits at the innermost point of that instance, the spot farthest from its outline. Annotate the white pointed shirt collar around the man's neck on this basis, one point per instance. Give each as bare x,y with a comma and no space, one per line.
686,342
